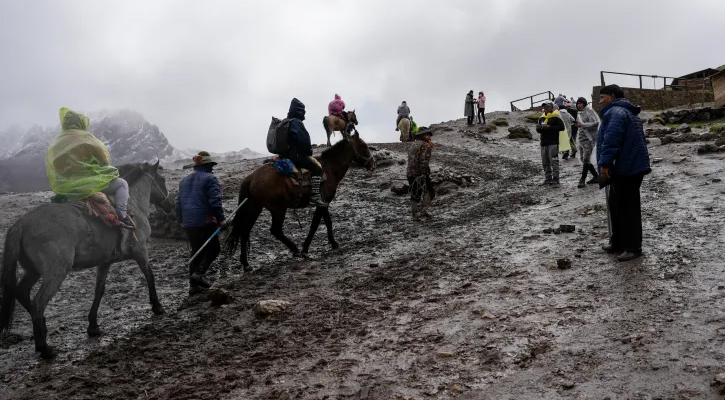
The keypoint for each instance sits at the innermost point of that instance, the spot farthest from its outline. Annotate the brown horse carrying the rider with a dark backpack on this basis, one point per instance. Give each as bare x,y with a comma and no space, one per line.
266,188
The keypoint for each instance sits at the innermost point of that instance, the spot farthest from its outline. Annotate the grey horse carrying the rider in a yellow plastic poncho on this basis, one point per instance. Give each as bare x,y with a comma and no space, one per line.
53,239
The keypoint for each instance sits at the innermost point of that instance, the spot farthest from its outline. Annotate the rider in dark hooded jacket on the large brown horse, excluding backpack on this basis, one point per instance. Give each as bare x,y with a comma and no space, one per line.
300,150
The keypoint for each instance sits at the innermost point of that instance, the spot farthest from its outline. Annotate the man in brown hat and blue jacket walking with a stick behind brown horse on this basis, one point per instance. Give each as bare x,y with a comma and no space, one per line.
199,210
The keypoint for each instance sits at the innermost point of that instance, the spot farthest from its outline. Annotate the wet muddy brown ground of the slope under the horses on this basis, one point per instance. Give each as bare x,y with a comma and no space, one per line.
469,305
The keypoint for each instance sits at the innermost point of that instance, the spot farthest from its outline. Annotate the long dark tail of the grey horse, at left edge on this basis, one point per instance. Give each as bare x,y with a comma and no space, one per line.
8,276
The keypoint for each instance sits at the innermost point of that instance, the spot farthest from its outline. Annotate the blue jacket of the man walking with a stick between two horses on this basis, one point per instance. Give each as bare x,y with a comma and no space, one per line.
199,201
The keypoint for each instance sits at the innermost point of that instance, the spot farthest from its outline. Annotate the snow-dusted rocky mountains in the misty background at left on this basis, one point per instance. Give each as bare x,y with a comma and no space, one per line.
129,137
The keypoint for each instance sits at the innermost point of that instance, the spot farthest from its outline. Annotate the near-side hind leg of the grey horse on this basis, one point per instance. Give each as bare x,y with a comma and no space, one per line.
48,288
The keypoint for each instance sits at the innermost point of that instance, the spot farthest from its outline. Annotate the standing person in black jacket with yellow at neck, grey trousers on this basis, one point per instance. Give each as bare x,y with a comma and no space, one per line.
549,126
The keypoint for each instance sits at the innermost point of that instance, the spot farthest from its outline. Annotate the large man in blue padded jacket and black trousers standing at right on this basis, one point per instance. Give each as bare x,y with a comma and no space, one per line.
623,161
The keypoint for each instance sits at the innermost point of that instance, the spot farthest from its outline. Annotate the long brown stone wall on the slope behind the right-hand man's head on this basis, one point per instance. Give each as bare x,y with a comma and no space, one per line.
654,99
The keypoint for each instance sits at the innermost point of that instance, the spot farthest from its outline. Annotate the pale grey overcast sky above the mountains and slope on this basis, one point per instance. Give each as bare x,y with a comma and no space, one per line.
211,74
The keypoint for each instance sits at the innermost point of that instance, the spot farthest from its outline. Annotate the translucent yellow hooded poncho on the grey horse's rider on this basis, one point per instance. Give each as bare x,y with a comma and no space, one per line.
77,163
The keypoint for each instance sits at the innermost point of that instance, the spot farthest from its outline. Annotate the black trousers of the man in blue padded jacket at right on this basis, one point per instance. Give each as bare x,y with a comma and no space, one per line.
626,210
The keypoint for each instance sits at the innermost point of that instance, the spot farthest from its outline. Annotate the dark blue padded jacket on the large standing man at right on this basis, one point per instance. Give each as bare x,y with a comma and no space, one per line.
621,145
